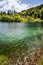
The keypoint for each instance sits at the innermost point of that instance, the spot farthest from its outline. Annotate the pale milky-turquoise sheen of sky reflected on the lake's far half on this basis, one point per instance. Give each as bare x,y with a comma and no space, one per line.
16,31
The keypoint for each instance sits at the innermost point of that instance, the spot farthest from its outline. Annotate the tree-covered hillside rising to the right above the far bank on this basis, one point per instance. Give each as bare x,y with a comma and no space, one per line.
36,13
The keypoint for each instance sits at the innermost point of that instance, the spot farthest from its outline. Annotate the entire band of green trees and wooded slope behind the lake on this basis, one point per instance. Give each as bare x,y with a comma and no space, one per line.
34,14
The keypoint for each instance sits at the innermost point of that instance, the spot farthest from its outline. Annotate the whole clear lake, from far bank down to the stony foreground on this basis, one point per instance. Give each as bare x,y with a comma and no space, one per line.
21,44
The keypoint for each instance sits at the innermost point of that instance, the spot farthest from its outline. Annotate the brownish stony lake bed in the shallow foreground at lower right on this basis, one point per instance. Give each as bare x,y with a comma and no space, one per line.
30,58
